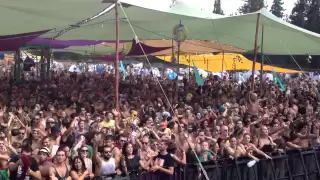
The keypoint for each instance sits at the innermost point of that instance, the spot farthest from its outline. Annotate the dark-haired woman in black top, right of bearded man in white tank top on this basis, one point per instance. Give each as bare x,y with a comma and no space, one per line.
130,162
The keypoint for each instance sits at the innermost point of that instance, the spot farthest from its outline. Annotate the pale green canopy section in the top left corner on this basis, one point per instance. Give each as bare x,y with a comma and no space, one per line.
21,16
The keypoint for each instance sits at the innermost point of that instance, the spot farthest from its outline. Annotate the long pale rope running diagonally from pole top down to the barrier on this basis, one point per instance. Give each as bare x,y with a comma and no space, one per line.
157,79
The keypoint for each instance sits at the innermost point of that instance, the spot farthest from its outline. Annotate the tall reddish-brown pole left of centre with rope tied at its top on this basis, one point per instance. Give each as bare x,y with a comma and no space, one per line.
117,59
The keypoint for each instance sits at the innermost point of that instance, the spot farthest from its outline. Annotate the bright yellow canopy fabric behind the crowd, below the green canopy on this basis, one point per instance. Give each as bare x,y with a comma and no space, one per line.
231,61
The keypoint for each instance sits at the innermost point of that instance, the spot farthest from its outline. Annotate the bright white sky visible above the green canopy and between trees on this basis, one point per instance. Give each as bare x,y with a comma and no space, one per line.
228,6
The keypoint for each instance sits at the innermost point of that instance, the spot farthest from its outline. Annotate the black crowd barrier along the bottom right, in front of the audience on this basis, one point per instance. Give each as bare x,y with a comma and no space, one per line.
291,165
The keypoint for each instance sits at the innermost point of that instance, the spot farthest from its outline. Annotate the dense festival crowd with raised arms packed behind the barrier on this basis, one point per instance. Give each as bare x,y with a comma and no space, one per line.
68,128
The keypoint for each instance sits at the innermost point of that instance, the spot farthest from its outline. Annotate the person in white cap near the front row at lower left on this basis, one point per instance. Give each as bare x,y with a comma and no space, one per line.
44,162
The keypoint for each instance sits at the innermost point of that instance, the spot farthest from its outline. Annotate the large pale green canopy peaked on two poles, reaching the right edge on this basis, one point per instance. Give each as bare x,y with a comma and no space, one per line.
280,37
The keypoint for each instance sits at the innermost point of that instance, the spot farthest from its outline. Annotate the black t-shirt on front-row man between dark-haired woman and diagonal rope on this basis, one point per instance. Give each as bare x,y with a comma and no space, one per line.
165,161
